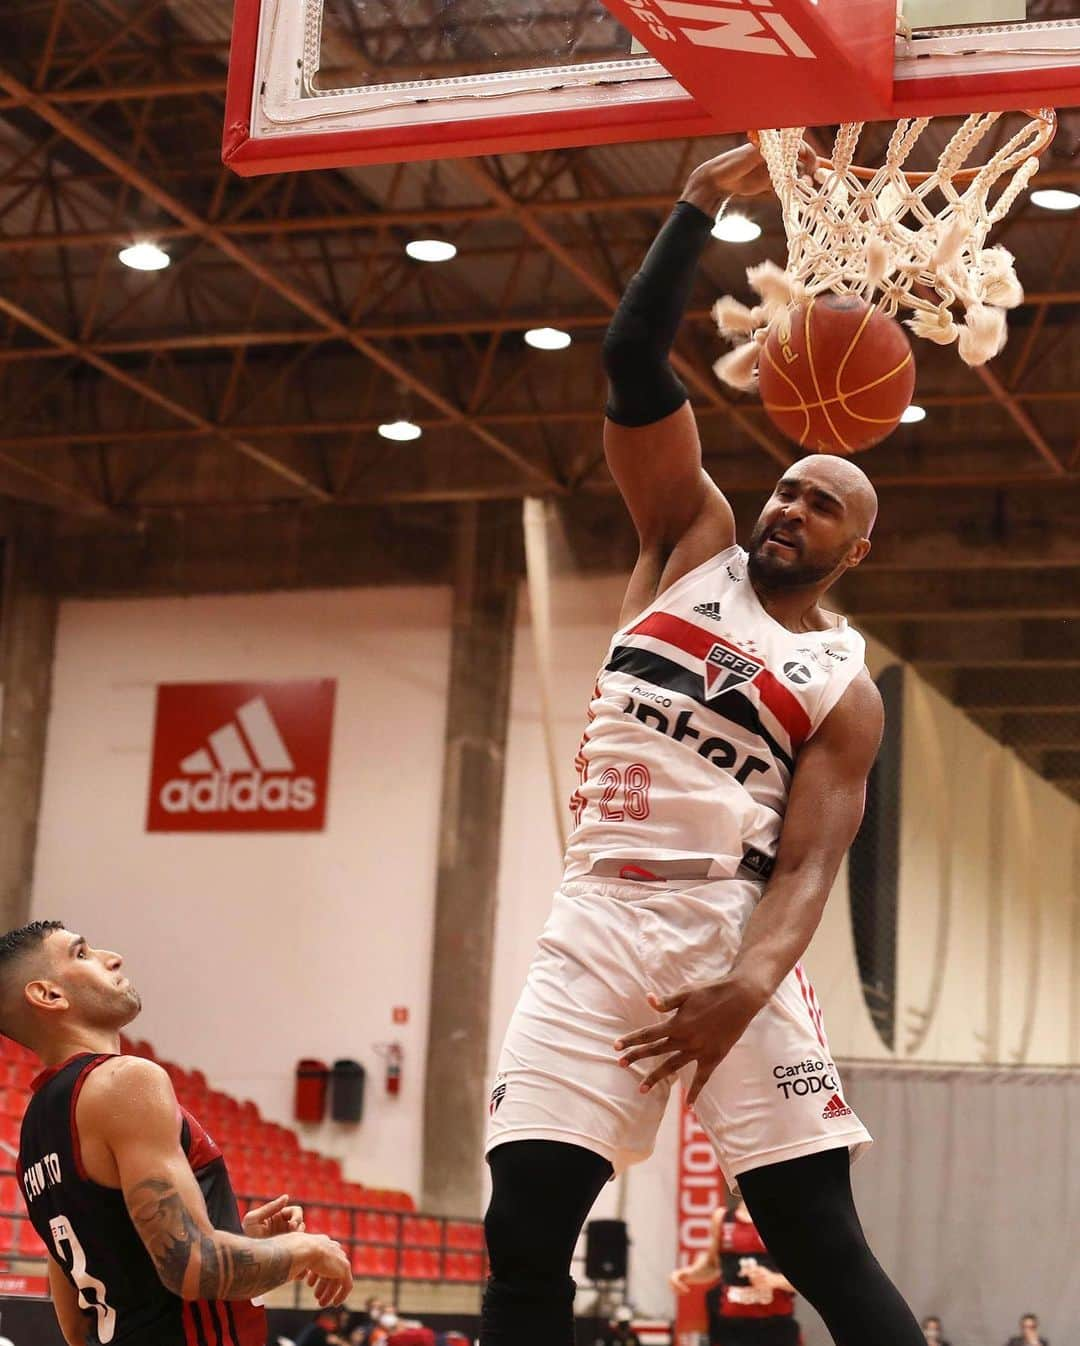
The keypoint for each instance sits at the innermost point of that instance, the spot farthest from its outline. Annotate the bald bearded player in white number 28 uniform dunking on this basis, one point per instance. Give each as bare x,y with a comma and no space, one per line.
722,781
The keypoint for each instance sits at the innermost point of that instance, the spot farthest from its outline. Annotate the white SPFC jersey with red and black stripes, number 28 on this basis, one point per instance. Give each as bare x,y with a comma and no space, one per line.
696,725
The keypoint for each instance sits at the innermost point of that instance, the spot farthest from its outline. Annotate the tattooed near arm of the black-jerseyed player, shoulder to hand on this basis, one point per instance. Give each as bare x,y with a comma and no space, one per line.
130,1108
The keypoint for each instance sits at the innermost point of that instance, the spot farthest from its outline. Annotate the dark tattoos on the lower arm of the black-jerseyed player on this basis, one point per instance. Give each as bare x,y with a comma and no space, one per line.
173,1239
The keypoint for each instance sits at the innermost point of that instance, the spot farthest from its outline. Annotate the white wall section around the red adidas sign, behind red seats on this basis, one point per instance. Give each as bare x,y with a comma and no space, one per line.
255,951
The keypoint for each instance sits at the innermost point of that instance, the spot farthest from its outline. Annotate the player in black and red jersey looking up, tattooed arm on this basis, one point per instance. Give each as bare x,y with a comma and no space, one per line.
126,1189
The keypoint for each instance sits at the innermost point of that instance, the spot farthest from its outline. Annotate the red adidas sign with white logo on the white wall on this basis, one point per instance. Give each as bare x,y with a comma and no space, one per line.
242,757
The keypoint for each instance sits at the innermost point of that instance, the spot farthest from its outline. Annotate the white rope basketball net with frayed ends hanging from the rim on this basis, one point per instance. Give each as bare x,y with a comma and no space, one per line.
893,238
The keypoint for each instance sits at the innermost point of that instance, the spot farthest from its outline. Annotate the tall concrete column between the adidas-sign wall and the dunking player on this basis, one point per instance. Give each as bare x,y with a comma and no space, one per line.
456,1095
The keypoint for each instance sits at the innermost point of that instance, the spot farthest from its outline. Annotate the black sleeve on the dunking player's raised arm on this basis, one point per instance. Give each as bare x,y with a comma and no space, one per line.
643,387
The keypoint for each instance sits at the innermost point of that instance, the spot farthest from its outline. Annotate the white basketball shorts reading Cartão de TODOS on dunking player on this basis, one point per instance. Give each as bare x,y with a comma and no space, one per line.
776,1096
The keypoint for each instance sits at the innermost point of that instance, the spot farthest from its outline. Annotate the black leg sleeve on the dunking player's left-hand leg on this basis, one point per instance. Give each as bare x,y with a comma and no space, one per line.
542,1193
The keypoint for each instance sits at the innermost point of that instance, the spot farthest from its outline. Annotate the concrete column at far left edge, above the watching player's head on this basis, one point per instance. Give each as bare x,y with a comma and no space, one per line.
28,633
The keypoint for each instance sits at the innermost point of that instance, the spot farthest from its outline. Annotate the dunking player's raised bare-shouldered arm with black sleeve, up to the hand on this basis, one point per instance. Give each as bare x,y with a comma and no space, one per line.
651,438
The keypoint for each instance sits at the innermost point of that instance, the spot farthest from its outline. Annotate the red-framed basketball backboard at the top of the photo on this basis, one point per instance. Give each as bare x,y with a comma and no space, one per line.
332,83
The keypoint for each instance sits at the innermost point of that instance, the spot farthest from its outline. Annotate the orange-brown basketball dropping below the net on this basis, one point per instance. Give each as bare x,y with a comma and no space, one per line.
841,379
